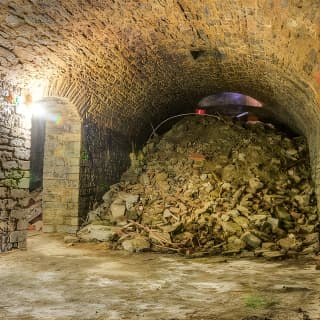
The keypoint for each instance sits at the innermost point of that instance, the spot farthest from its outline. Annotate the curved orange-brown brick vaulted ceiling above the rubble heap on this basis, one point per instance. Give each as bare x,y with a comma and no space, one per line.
128,63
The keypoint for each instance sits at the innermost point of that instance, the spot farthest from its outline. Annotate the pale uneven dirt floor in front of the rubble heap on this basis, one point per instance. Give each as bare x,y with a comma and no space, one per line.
53,281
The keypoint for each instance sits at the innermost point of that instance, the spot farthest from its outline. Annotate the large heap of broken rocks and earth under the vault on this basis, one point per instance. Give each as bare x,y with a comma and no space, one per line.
212,186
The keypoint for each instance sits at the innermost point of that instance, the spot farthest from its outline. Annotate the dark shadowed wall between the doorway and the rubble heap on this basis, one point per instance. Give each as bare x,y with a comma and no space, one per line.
105,155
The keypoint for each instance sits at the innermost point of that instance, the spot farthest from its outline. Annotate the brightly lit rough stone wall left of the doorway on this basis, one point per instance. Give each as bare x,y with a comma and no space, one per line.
14,174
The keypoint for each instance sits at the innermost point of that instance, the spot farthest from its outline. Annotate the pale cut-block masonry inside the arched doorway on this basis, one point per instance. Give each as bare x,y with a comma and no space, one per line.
61,166
